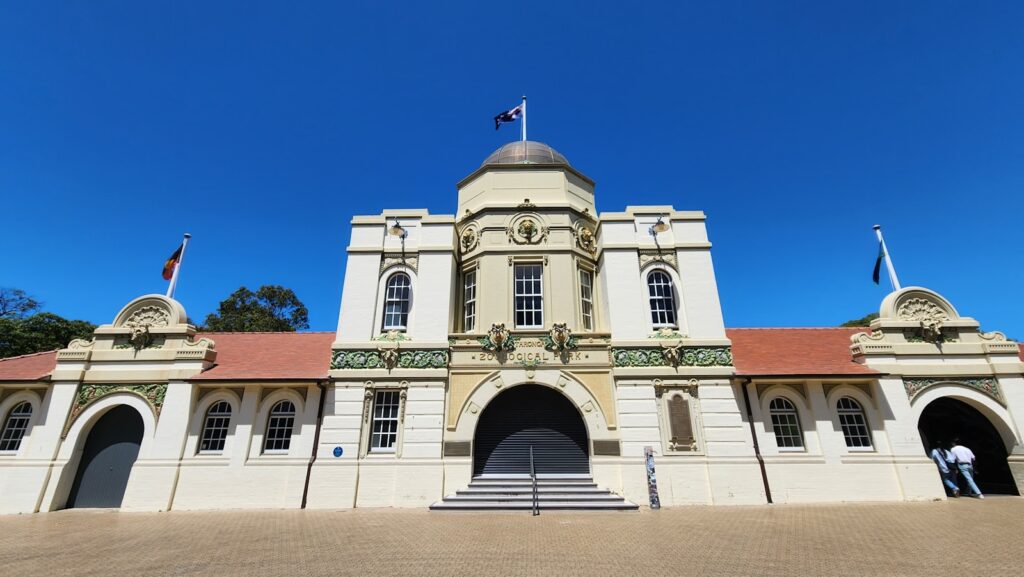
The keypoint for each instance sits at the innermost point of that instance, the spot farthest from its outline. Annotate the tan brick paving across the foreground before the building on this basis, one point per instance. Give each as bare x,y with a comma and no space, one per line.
958,538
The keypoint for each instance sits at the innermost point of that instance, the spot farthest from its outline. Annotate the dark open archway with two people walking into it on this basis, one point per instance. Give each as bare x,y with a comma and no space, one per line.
946,420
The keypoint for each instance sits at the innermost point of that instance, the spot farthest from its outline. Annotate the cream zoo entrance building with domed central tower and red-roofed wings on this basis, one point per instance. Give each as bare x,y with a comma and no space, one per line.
528,334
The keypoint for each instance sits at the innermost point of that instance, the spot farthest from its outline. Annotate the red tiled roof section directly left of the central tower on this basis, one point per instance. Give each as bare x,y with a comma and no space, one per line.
269,356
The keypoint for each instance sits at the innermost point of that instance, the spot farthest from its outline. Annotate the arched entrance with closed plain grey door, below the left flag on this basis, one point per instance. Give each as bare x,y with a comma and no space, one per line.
110,452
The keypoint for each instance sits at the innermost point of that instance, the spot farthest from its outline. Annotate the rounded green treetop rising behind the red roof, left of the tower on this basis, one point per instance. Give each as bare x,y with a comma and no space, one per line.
272,308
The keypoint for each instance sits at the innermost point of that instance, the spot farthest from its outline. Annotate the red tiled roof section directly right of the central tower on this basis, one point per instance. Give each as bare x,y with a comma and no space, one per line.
795,352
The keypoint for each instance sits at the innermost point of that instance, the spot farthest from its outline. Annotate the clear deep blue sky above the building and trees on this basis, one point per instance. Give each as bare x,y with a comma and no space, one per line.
262,129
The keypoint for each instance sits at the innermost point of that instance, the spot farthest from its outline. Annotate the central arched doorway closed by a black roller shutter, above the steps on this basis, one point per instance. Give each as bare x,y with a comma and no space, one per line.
525,417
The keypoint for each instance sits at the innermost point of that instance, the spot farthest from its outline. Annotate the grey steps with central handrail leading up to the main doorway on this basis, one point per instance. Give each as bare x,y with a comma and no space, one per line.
507,493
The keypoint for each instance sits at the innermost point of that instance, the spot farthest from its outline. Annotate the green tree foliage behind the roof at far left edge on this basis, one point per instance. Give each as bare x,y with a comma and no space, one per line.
42,332
